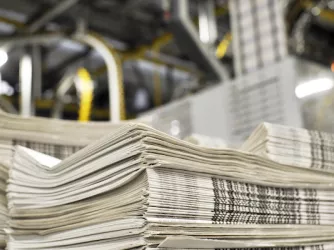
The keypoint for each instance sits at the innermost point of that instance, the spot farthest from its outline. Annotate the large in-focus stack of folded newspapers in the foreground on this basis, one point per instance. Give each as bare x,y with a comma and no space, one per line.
139,188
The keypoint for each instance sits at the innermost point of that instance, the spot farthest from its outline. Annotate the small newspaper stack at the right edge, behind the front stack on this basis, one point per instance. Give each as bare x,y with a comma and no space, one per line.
293,146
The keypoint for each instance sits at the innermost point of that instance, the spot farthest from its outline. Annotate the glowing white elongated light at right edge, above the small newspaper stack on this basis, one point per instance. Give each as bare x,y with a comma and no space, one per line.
314,86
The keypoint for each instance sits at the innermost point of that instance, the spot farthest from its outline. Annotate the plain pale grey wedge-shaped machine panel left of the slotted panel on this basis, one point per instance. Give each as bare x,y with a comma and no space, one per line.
203,113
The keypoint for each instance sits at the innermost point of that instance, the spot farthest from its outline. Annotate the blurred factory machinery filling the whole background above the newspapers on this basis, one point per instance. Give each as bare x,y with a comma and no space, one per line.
212,67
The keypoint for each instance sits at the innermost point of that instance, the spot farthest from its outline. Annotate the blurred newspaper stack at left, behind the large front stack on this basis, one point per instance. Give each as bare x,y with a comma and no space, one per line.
53,137
